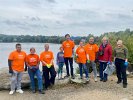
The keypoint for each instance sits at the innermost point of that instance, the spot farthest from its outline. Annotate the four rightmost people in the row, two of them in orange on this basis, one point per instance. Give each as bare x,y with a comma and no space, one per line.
90,53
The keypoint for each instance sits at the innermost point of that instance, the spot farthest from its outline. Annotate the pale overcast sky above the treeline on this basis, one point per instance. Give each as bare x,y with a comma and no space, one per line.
59,17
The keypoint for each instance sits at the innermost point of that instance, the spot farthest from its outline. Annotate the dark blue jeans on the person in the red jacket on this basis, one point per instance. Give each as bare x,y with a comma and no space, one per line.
103,66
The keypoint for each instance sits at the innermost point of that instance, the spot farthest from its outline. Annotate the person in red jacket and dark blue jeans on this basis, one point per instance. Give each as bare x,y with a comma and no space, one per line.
105,58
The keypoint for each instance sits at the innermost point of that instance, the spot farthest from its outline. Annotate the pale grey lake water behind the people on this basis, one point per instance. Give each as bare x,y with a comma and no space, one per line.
7,48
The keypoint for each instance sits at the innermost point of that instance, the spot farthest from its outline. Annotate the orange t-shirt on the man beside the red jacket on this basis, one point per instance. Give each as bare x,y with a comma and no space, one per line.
91,50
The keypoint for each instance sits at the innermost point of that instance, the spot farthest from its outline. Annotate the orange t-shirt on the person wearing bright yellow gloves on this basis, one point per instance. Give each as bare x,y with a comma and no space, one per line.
46,56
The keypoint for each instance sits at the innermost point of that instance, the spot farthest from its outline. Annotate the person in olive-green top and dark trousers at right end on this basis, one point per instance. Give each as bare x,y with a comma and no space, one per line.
121,62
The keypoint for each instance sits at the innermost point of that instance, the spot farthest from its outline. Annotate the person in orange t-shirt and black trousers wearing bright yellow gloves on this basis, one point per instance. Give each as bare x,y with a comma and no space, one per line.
46,57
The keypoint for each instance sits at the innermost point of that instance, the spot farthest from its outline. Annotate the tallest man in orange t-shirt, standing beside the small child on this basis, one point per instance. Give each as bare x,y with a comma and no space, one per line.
68,47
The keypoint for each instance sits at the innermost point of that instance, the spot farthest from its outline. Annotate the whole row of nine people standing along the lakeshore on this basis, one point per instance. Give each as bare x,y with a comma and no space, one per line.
89,53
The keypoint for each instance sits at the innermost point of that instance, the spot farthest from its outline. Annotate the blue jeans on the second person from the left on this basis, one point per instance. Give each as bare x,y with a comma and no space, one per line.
39,78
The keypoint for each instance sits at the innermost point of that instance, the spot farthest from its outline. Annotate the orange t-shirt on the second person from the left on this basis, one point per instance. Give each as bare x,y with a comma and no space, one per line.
32,59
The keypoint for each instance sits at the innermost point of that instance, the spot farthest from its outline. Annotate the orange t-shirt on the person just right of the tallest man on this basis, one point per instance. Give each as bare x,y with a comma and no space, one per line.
80,51
